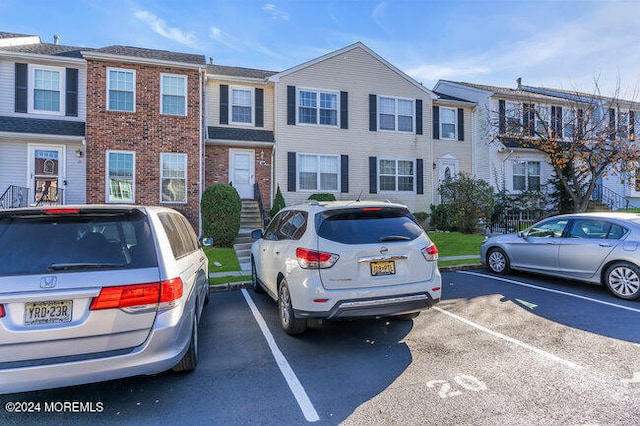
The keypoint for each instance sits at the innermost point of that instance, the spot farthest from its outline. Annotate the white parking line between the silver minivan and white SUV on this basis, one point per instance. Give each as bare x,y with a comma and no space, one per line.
292,380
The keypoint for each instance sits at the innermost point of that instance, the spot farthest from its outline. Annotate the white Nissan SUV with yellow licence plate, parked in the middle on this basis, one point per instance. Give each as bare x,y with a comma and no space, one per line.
344,260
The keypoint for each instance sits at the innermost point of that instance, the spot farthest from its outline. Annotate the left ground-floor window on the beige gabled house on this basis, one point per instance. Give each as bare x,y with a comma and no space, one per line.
318,172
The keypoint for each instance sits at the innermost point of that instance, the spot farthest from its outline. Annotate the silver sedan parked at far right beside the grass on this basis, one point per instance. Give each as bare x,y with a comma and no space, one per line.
599,248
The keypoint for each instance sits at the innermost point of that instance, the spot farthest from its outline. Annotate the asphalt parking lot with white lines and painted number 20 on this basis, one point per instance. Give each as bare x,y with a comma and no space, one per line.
520,349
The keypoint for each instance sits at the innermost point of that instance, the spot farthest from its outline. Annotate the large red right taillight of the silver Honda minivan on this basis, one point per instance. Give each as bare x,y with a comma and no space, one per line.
128,296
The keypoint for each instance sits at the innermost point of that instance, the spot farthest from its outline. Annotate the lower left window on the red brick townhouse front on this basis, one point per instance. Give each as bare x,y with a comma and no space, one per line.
120,177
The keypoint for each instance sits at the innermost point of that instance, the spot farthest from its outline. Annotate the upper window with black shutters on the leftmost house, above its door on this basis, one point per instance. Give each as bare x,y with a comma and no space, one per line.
46,90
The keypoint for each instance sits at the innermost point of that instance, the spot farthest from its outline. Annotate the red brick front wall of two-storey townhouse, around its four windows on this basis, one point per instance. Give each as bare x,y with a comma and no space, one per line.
145,131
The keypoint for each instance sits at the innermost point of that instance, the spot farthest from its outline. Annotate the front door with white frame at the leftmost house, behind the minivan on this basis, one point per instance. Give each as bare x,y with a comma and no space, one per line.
46,174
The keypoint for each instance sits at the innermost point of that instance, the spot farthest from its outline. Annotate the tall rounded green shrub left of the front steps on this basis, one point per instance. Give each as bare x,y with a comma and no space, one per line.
221,207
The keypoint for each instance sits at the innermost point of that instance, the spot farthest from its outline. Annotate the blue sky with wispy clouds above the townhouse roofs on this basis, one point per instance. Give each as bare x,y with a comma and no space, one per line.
563,44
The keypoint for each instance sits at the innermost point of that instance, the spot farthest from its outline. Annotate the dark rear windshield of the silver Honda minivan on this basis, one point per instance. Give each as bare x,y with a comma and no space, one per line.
52,243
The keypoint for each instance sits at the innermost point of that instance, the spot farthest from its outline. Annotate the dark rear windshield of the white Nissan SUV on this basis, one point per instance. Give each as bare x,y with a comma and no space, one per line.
367,225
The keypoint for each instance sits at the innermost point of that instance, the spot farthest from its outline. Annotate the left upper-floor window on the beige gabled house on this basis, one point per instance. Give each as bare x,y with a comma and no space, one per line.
317,107
